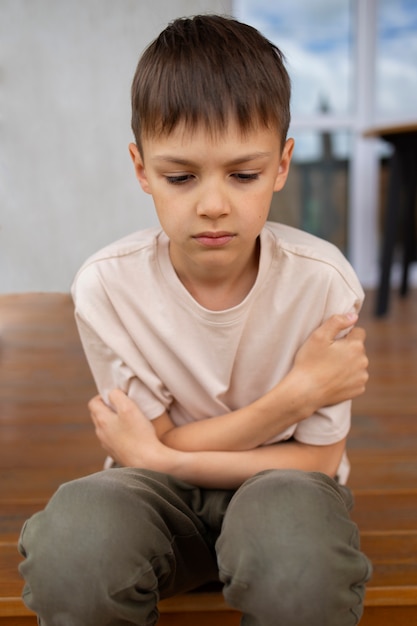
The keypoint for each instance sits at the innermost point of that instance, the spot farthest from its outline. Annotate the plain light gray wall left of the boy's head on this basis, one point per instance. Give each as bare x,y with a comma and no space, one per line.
66,182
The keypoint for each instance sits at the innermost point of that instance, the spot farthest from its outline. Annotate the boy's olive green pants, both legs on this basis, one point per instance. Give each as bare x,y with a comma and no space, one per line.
108,546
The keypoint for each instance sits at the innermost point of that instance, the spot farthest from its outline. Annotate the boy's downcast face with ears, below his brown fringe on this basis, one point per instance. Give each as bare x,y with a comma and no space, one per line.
212,194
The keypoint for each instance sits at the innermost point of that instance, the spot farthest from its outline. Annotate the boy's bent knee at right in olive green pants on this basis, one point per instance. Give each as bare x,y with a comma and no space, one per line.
288,542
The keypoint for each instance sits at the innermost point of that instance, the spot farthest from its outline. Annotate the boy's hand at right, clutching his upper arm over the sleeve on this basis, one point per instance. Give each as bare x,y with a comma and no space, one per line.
335,366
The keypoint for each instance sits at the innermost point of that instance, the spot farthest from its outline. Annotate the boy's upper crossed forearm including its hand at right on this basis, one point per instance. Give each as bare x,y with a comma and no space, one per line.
326,372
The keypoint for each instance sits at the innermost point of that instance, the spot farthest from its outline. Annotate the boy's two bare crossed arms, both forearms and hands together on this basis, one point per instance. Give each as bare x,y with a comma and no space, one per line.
224,451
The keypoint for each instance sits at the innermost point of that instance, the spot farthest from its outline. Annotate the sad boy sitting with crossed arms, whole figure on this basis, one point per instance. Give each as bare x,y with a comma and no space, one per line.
224,395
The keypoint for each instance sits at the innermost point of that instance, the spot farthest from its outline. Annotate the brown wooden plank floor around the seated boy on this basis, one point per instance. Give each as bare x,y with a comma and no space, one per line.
46,438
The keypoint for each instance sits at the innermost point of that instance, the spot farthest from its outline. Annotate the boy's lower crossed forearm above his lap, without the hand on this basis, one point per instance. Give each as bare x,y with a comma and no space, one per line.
228,470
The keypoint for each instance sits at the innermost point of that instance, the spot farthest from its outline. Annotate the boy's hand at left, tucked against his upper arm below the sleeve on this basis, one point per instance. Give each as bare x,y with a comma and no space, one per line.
125,433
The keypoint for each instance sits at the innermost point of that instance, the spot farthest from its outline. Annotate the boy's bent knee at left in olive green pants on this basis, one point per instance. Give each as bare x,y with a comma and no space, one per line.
86,547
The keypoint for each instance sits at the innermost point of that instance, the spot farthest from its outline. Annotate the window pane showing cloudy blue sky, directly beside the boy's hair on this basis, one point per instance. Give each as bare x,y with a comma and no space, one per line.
316,38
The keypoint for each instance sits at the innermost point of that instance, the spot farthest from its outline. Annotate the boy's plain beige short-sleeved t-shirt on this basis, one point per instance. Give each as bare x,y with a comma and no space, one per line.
144,333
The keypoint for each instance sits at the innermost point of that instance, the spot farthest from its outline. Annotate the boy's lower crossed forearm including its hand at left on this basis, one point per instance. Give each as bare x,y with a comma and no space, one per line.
130,438
